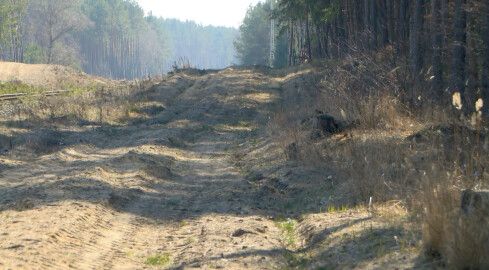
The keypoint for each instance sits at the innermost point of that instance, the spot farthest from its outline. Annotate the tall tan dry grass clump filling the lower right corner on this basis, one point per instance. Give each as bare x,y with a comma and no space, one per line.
457,236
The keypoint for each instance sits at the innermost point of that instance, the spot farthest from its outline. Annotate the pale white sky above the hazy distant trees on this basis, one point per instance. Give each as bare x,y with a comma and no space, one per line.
214,12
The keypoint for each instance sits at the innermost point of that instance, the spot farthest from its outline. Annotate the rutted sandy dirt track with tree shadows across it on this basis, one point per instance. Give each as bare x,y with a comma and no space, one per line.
117,197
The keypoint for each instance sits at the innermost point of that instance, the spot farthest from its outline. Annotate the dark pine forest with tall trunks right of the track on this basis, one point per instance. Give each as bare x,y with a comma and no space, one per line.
441,46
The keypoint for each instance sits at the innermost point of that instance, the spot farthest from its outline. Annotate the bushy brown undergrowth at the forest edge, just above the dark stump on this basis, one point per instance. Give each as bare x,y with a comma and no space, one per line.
366,93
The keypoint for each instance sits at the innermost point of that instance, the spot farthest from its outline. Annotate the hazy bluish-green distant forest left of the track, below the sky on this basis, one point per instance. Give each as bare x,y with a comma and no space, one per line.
110,38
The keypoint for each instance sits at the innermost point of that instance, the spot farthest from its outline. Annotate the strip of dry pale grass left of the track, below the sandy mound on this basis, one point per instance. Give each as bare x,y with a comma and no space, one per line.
95,104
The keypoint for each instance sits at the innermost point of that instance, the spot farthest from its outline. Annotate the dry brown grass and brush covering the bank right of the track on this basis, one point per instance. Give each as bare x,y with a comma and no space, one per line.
393,153
